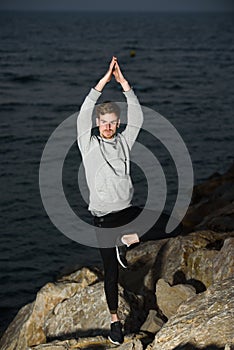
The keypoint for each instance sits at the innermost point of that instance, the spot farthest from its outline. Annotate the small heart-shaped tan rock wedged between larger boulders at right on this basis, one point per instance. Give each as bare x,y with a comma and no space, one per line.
170,298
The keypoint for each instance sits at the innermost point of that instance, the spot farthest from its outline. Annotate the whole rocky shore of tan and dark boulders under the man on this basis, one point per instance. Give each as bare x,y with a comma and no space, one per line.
177,294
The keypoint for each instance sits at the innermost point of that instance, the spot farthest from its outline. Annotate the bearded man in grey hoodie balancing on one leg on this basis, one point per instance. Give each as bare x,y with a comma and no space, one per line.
106,159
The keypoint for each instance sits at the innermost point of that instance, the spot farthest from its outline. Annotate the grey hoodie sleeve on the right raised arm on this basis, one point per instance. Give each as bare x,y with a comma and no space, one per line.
134,118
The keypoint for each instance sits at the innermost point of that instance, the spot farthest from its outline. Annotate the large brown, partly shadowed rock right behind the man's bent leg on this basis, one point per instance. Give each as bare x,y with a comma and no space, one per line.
181,260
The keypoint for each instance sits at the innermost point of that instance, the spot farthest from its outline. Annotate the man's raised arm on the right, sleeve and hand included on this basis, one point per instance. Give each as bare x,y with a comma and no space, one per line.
134,113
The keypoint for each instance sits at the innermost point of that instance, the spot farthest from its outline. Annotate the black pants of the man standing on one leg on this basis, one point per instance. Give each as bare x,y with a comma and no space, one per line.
109,258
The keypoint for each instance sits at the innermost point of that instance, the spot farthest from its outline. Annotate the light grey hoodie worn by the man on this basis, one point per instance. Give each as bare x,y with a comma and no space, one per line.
107,161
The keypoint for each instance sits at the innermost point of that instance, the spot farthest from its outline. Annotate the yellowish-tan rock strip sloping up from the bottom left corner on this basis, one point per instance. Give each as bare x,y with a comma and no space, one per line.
27,327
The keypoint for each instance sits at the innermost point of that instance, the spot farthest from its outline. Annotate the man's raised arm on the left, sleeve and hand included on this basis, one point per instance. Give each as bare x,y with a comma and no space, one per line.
84,120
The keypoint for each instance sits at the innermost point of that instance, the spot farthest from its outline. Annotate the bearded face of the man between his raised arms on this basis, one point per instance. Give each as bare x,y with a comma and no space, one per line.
108,124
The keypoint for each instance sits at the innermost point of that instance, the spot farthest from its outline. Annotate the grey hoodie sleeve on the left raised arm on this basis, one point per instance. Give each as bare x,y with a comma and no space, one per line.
84,120
